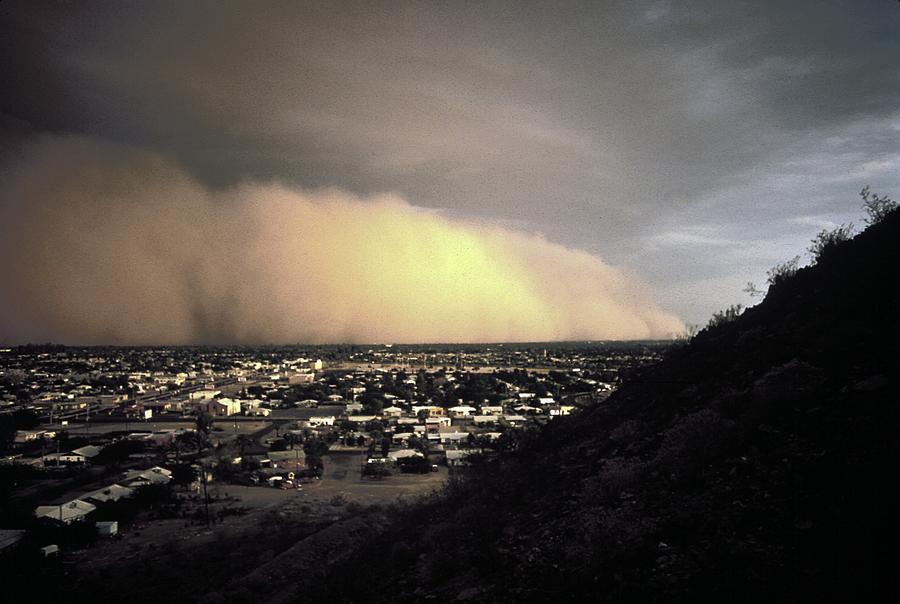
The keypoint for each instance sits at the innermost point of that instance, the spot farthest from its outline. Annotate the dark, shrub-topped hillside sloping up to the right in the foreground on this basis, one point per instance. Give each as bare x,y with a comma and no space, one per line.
755,464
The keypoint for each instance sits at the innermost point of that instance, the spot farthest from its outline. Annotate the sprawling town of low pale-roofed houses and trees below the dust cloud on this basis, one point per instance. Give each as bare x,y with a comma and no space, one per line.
105,451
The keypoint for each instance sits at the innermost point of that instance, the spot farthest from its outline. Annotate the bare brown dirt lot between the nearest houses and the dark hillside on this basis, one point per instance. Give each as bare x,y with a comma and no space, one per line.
241,514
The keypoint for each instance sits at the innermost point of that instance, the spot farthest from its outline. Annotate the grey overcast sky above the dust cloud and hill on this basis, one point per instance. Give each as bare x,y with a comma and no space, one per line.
692,144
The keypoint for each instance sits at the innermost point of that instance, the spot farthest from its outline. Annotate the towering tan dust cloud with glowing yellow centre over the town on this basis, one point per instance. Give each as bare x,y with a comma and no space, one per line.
100,244
